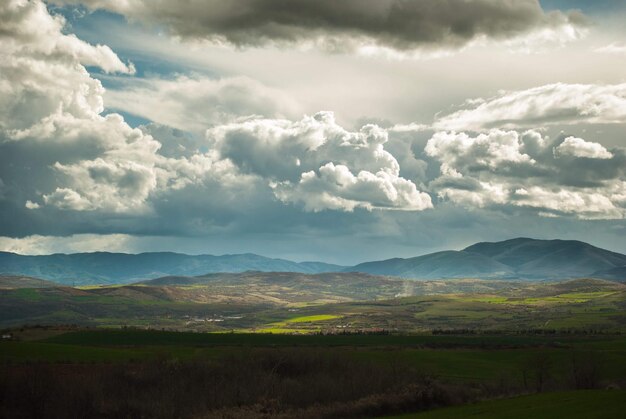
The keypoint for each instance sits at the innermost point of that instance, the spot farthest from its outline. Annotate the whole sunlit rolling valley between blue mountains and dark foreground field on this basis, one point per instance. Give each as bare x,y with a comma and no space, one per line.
332,303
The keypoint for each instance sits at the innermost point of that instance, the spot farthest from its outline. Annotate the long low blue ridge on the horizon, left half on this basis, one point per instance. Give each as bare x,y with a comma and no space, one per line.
122,268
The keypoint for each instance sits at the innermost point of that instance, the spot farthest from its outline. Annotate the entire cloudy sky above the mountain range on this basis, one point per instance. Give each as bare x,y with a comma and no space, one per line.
310,130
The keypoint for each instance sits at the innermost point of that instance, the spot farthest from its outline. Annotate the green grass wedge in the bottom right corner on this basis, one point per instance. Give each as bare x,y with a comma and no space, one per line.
572,405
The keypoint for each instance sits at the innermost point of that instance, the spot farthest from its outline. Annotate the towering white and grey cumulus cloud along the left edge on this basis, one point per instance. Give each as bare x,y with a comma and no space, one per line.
56,147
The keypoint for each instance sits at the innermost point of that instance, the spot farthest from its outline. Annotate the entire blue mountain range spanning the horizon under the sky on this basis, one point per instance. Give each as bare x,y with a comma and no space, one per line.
520,258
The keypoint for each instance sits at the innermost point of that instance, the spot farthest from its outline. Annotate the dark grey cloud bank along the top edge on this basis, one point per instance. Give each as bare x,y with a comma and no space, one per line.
394,25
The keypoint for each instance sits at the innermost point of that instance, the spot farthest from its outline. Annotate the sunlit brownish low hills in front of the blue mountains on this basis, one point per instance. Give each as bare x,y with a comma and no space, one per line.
296,288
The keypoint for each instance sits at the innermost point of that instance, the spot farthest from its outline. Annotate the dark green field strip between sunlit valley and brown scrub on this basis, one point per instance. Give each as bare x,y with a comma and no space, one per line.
456,358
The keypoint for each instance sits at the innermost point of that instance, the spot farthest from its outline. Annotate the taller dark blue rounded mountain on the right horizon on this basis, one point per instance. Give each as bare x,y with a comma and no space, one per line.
520,258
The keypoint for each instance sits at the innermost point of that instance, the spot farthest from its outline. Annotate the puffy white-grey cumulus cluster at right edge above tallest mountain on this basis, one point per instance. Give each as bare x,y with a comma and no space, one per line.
505,169
